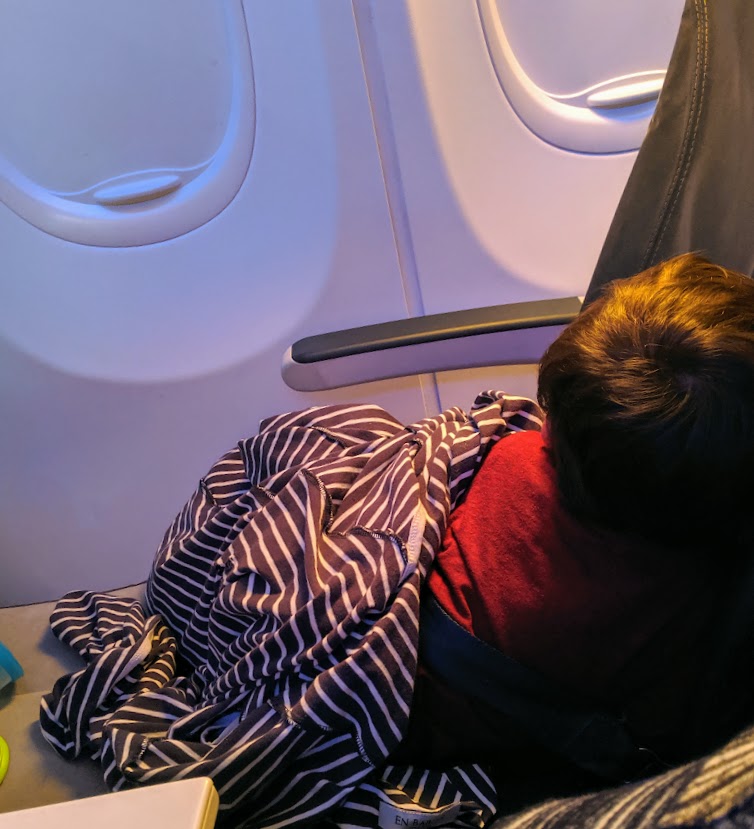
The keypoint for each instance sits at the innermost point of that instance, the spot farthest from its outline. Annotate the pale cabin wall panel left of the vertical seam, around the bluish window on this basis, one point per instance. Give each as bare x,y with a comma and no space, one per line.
127,370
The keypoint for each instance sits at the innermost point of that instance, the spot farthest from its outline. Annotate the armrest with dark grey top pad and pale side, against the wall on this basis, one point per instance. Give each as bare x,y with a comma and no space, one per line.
497,335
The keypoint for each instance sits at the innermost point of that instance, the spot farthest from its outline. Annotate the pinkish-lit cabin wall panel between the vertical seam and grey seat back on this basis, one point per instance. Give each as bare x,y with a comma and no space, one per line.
497,212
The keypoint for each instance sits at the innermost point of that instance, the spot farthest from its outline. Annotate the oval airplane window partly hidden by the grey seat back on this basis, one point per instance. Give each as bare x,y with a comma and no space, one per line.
583,76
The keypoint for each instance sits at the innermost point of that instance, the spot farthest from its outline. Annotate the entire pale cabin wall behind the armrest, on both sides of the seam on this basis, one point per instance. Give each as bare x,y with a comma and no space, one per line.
387,174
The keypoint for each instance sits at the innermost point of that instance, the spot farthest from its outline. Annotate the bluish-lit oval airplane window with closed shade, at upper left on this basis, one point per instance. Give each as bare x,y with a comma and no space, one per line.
123,124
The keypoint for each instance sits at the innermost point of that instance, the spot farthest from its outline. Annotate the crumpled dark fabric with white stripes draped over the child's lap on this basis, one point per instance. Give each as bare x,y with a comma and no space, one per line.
277,650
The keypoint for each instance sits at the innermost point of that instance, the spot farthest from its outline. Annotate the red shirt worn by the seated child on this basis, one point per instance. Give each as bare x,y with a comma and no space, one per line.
612,617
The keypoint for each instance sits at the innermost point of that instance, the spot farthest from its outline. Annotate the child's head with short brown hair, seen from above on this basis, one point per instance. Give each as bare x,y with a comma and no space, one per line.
649,396
